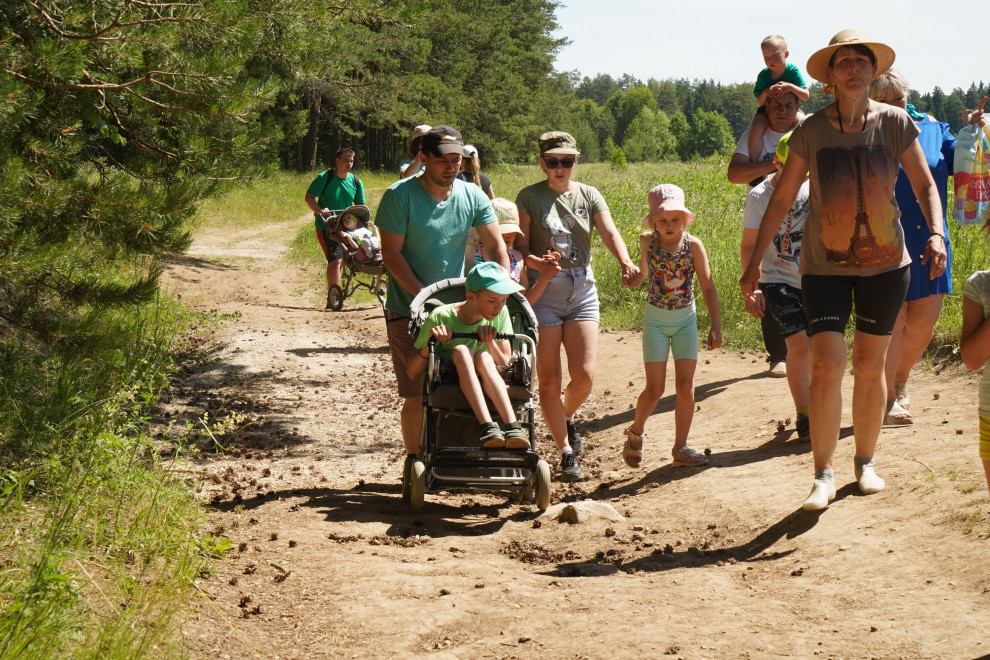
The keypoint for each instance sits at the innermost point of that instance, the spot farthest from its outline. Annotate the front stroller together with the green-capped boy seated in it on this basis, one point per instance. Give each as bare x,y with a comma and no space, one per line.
461,445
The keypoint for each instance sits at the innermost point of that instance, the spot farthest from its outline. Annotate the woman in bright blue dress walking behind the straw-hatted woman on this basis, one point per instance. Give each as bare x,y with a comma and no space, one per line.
923,303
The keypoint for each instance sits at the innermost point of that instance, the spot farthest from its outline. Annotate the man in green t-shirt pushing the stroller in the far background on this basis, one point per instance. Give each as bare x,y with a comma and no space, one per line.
333,191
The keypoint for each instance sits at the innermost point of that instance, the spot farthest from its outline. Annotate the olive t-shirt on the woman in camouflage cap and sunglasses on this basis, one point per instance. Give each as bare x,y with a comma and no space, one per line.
561,223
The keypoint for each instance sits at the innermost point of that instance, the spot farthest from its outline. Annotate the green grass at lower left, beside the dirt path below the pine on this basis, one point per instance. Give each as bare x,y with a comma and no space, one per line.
98,535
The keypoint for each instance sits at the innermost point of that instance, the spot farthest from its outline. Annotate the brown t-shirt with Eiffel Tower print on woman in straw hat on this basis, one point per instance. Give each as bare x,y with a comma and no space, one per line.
853,225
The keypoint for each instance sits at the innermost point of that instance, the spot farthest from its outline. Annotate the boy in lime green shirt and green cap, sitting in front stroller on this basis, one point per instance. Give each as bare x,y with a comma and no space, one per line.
477,361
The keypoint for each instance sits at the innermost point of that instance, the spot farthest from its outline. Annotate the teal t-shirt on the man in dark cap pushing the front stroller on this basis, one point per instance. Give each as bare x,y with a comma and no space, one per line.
435,233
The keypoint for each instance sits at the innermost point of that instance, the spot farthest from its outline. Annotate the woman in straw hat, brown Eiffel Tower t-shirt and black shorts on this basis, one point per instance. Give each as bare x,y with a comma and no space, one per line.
853,248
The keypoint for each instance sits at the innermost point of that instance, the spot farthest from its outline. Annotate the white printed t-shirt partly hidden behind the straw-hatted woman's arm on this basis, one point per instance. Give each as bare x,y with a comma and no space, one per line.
781,260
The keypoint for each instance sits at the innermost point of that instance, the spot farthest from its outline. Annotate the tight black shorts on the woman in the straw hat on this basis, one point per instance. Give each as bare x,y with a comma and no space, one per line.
828,301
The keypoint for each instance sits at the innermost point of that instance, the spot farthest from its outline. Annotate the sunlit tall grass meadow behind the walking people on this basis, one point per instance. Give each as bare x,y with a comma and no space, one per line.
717,205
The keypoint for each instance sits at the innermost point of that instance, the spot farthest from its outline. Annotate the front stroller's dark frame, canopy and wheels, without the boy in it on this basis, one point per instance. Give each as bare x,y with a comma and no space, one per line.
450,454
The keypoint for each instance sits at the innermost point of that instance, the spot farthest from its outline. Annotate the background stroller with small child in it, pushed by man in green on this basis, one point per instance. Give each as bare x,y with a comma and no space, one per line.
353,228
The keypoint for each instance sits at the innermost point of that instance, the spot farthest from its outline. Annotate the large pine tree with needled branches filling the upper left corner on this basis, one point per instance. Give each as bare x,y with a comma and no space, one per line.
116,118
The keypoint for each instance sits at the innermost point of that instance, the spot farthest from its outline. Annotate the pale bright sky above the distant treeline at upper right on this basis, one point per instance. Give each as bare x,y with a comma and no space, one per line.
720,39
